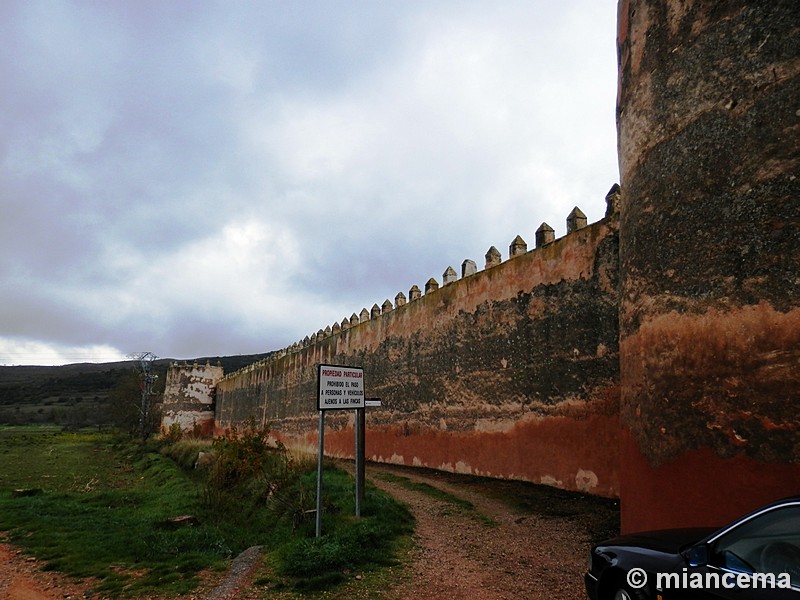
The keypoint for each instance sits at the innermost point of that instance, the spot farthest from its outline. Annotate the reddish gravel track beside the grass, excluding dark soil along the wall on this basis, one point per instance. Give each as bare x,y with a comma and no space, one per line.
460,556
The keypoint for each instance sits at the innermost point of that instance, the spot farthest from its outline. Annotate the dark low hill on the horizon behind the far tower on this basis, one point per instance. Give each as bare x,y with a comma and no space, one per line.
80,394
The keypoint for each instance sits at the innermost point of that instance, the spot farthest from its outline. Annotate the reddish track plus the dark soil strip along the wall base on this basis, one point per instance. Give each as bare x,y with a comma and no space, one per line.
536,548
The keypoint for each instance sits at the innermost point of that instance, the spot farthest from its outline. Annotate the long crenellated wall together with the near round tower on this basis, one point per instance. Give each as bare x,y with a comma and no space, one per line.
652,355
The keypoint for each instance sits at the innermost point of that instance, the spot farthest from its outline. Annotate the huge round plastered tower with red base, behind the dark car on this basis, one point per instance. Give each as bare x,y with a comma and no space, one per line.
710,225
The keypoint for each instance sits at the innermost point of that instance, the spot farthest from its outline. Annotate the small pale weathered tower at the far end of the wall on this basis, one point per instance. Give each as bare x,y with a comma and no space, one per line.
189,392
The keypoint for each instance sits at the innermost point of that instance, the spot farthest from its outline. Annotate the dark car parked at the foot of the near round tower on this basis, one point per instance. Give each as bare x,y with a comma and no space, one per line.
756,556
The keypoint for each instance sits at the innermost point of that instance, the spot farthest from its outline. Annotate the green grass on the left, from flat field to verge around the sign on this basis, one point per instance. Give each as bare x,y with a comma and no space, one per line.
92,505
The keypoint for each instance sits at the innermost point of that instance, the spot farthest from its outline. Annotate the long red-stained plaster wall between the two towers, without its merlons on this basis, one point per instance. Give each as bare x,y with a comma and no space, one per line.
508,372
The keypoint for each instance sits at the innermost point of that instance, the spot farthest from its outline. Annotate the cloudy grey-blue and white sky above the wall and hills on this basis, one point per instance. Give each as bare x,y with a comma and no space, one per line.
198,178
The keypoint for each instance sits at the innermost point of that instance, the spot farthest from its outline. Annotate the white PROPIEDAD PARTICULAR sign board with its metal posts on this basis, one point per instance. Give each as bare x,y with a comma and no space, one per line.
340,388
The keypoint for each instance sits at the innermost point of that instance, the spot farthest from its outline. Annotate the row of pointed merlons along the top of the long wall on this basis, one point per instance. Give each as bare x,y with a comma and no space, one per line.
545,235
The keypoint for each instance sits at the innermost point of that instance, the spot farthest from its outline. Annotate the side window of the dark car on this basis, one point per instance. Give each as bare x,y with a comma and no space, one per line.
767,543
